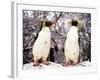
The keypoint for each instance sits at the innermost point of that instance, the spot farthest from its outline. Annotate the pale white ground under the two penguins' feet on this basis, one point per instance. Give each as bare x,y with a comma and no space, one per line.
52,65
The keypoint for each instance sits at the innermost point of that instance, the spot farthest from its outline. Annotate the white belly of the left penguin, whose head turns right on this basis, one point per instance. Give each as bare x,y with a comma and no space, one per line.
41,46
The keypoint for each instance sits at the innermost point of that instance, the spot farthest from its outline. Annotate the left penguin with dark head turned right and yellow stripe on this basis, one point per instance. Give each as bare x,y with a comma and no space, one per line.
41,46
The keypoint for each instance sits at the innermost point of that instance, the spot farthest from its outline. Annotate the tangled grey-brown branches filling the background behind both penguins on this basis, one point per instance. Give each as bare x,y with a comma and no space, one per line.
31,27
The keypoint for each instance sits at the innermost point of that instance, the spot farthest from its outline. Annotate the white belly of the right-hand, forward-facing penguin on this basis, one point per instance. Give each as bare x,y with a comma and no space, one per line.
72,45
